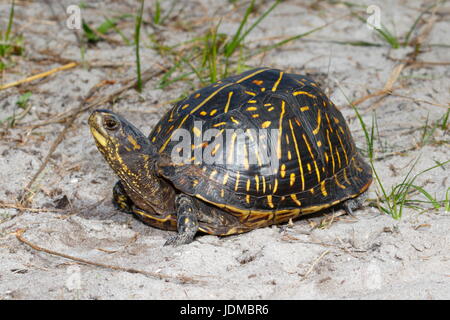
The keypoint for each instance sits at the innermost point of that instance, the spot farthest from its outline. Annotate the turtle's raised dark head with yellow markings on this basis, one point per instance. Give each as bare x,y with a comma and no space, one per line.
124,147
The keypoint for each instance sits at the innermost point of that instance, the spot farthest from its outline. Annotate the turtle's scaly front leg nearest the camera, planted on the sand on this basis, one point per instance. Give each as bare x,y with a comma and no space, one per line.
187,221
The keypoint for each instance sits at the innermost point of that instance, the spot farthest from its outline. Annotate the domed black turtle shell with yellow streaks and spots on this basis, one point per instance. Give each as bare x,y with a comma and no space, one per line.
261,141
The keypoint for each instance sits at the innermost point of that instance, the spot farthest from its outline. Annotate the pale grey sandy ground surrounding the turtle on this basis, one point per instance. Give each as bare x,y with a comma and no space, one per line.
368,256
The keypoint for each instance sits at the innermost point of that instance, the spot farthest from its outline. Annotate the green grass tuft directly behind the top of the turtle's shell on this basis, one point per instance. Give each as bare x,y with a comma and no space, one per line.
215,55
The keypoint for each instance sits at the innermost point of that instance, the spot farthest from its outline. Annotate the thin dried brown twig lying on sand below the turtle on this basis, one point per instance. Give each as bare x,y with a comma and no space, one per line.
180,279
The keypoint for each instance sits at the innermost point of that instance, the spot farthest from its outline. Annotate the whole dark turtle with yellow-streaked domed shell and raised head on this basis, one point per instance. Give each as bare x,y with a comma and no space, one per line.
249,151
